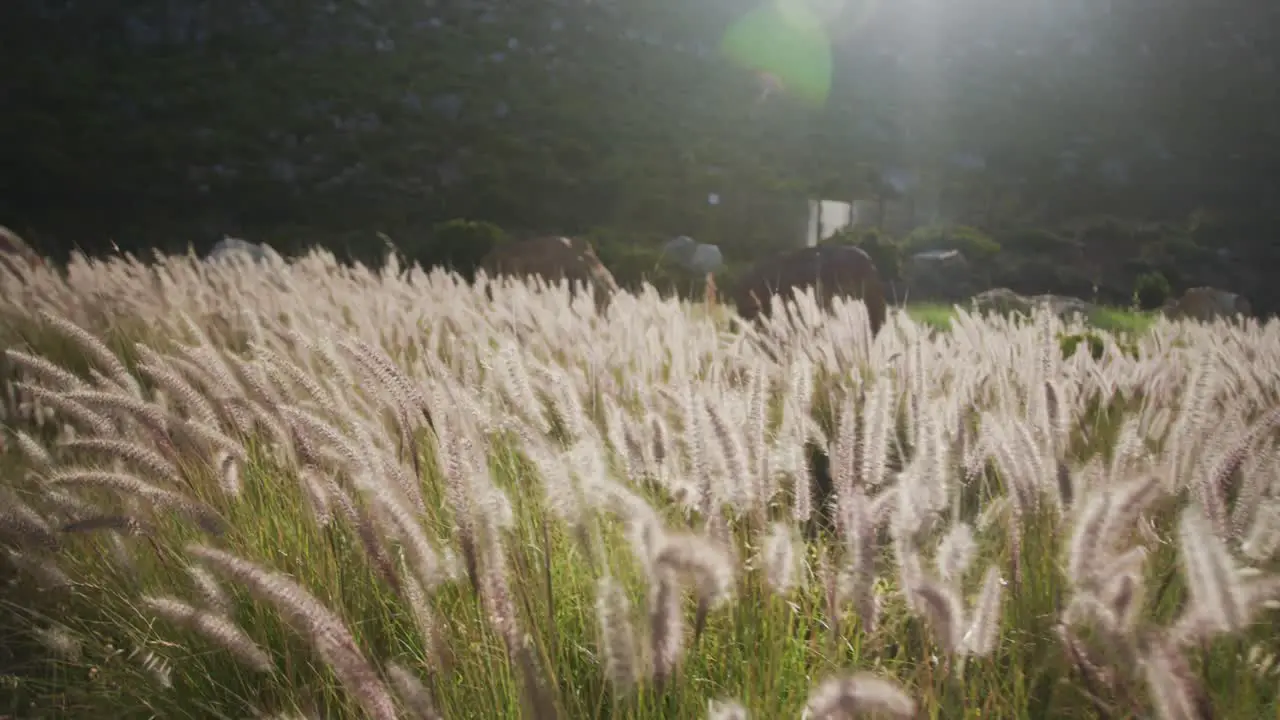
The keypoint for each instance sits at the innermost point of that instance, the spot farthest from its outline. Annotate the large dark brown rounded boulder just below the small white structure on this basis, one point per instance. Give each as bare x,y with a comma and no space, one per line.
831,270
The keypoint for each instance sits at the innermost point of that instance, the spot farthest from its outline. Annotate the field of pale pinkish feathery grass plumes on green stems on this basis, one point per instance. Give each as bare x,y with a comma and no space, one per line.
314,491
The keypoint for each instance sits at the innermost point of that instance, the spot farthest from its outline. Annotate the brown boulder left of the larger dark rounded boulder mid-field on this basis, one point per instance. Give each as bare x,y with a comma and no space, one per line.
554,259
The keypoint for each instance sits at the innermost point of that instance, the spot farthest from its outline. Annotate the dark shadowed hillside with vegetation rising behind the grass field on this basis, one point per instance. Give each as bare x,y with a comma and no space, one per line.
1121,140
